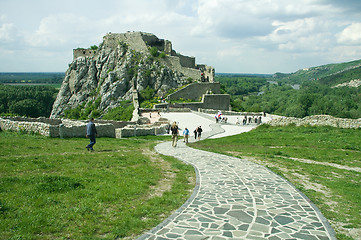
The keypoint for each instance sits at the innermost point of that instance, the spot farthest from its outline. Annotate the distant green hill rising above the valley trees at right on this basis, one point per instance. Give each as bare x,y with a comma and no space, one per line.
329,74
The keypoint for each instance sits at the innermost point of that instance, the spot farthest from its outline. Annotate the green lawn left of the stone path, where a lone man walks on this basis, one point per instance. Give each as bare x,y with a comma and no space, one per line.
55,189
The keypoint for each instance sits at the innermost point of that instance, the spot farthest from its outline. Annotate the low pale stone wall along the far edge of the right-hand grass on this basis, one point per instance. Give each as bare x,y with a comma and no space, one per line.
317,120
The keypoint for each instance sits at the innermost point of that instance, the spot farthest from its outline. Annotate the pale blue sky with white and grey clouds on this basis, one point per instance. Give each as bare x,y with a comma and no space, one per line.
234,36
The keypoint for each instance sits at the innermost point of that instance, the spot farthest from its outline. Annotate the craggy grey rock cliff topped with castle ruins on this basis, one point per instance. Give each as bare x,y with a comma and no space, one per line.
123,64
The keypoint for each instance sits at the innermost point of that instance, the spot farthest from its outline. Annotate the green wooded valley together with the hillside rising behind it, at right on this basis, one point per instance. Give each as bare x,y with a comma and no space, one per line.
301,94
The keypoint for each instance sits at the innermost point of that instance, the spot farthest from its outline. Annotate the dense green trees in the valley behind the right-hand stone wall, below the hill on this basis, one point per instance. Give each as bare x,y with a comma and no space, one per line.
313,98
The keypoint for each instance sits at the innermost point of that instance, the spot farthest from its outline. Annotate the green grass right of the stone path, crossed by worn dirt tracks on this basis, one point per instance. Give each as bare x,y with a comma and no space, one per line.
322,162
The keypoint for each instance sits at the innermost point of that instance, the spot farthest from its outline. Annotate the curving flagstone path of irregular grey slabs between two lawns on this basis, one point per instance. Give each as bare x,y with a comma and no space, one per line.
238,199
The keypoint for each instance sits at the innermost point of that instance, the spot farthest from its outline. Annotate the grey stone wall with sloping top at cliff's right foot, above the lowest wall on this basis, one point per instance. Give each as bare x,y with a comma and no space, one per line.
195,91
